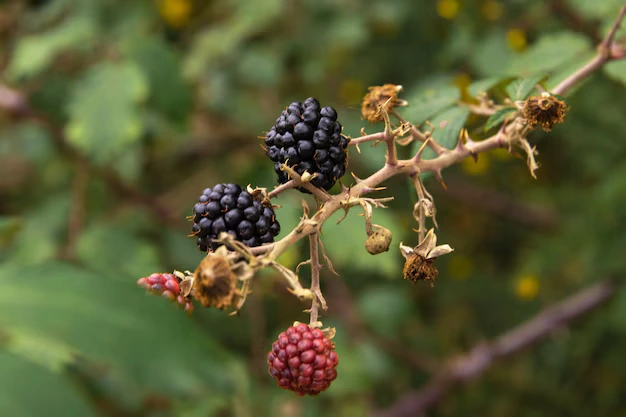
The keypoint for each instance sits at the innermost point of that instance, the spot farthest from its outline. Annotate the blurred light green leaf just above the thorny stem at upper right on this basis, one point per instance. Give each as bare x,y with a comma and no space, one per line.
550,52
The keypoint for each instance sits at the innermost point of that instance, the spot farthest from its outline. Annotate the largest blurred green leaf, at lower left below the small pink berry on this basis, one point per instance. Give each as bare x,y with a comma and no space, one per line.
113,322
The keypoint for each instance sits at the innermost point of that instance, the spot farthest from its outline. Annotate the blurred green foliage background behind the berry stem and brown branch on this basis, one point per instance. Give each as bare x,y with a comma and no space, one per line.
115,115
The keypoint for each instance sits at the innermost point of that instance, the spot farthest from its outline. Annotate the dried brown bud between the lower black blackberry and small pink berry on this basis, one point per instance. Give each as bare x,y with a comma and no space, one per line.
214,283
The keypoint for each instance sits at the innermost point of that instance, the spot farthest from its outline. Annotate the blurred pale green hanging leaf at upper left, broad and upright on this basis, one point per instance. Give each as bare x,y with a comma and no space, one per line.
103,110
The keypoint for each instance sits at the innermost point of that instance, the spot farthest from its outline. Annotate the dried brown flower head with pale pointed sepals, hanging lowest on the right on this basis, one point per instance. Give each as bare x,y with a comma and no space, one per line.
419,260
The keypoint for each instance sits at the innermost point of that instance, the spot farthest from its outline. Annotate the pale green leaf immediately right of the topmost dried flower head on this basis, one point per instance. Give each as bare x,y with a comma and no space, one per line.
430,102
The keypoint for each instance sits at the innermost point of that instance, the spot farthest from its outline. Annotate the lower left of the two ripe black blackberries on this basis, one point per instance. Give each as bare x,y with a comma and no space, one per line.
228,208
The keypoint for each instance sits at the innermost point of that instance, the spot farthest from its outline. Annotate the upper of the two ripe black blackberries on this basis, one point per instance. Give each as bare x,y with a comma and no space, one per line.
307,137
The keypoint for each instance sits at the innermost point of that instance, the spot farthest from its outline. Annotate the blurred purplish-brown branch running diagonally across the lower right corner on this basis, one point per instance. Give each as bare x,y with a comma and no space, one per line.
471,365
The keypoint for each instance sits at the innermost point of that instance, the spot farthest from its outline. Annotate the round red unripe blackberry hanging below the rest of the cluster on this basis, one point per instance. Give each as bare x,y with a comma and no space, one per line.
303,360
